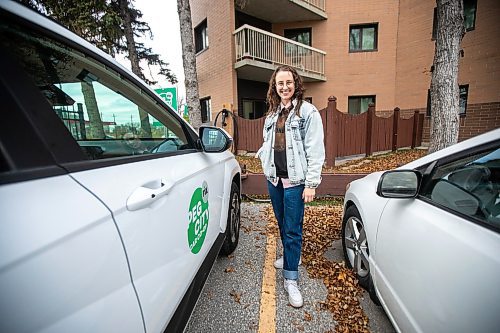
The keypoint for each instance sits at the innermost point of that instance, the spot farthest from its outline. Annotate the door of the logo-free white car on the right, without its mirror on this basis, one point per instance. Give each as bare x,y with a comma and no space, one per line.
437,255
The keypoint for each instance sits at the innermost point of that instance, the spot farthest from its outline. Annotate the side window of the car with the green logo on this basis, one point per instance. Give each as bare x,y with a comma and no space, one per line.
104,112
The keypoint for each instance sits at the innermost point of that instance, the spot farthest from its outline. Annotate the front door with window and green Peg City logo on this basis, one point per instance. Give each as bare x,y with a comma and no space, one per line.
141,162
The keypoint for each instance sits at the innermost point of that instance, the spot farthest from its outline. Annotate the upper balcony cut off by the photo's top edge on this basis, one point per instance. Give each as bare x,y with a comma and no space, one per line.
290,10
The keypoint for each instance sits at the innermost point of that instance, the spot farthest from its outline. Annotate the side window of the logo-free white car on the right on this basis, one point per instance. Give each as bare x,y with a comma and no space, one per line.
469,186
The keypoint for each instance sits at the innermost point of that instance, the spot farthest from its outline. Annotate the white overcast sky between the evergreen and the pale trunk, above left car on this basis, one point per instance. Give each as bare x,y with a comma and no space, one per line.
162,17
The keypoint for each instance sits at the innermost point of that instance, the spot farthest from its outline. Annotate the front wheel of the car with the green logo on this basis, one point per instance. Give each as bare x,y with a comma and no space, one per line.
233,221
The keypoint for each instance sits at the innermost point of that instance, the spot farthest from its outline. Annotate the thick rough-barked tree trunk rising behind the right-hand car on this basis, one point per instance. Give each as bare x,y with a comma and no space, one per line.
444,82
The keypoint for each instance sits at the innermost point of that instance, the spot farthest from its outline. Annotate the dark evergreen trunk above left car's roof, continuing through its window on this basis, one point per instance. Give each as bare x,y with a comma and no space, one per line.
134,61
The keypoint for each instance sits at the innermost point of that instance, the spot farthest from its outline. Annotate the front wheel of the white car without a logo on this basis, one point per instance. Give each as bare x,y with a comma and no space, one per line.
356,250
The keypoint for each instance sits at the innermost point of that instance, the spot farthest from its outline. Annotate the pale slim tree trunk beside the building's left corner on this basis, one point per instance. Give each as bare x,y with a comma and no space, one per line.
189,62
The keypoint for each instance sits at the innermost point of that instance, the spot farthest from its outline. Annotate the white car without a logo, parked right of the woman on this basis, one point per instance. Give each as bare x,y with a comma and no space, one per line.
424,239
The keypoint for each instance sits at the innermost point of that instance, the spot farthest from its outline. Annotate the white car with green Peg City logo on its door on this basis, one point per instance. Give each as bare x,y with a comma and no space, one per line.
112,208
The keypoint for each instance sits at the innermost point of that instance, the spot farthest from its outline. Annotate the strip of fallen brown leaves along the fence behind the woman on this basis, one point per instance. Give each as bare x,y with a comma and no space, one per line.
360,165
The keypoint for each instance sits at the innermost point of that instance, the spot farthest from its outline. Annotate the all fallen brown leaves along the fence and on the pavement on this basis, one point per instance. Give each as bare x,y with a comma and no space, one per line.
322,225
